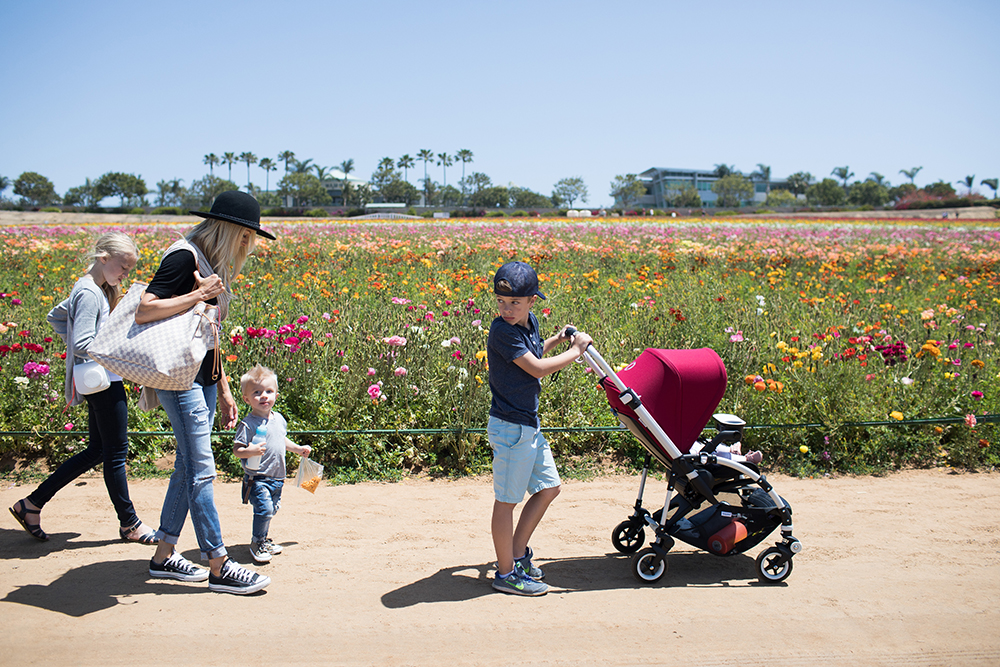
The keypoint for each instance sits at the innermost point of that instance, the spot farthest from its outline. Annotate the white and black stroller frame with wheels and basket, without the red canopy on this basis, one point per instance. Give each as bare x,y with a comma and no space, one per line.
695,478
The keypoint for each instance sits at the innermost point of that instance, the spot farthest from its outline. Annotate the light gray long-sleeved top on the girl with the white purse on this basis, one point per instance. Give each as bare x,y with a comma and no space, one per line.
77,320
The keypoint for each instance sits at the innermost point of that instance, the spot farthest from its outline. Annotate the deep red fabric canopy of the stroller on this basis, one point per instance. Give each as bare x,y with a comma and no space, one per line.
679,388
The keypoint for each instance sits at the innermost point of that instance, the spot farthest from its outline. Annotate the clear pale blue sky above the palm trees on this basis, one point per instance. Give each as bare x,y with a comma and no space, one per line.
537,90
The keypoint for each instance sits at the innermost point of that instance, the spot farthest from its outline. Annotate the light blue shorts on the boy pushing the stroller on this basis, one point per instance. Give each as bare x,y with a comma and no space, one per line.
522,461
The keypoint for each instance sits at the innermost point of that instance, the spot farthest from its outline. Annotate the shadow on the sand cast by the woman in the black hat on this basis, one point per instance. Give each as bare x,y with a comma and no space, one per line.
98,586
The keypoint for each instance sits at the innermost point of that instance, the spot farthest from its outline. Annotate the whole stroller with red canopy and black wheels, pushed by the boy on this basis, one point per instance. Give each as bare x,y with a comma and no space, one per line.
666,398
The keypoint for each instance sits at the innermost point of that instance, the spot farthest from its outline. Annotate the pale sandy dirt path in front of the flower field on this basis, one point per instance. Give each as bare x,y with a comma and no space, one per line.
902,570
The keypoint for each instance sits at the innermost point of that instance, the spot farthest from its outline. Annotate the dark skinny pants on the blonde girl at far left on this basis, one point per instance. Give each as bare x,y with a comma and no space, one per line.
108,425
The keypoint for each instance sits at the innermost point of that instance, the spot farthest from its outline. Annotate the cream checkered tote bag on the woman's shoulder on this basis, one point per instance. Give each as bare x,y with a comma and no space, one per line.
165,354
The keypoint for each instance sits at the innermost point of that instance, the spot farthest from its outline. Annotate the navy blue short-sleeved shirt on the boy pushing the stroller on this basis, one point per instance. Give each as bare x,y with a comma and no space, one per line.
515,392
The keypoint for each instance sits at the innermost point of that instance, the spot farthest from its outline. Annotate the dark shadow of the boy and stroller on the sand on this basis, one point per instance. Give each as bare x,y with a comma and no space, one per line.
579,575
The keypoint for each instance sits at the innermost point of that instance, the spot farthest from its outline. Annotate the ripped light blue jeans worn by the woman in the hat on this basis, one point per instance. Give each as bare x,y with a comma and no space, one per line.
192,414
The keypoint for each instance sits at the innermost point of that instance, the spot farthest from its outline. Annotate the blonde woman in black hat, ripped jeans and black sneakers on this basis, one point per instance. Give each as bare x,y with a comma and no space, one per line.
201,267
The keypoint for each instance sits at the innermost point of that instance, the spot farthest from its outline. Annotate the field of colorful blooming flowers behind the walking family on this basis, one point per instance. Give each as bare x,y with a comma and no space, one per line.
850,346
